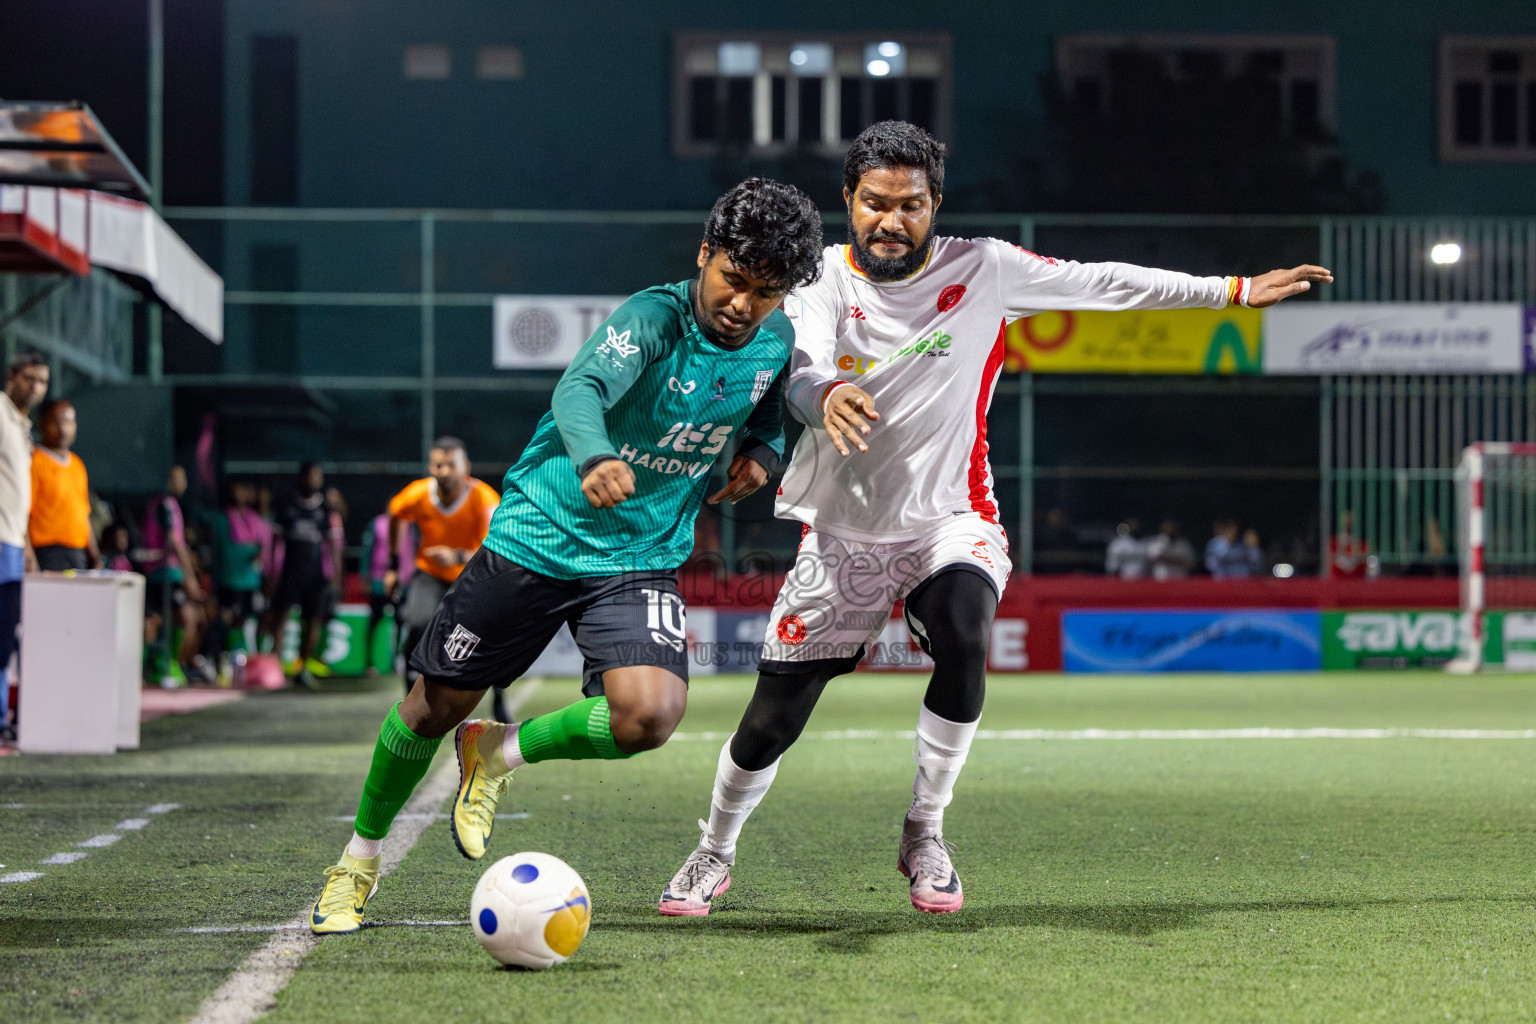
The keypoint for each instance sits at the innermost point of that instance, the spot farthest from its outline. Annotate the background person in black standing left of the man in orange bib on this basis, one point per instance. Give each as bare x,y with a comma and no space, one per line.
311,550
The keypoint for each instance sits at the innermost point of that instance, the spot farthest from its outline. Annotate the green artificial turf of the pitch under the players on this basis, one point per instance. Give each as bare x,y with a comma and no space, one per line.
1107,880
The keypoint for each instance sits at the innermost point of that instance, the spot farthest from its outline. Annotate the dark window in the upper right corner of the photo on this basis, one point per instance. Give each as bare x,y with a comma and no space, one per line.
1488,97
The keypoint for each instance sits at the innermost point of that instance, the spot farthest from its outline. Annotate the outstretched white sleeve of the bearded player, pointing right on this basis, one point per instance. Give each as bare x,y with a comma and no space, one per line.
1031,285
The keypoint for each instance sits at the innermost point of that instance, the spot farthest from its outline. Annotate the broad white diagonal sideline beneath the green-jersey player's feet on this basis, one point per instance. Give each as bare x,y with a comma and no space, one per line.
254,988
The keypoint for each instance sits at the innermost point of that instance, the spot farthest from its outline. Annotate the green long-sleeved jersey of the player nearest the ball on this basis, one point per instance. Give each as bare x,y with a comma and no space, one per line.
649,389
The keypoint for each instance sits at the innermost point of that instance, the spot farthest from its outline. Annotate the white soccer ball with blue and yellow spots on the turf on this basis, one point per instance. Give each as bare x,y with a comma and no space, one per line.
531,910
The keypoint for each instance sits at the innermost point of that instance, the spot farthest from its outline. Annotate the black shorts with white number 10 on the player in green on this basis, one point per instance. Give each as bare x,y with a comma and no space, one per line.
500,616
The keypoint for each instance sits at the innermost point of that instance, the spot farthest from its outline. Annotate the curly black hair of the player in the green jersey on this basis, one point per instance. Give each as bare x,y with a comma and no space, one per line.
769,226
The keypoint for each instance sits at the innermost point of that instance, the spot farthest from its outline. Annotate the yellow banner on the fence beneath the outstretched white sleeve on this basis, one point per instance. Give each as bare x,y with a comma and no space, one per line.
1144,342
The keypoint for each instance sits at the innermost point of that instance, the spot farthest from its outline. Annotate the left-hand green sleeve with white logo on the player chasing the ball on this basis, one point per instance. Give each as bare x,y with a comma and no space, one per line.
603,371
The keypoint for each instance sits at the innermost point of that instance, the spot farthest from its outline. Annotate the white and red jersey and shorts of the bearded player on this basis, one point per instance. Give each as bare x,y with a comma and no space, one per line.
929,351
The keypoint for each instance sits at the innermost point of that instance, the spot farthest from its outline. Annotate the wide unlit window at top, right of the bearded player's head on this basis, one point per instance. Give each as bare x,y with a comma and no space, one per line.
1291,76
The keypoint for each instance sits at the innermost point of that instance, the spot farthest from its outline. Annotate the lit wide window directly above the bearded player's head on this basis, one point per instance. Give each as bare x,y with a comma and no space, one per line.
776,93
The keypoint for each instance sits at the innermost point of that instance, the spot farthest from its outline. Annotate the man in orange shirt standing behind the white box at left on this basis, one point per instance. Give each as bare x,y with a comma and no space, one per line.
61,520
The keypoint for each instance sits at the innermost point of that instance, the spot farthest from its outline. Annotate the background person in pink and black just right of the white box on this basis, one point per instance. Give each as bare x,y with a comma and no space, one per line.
174,590
